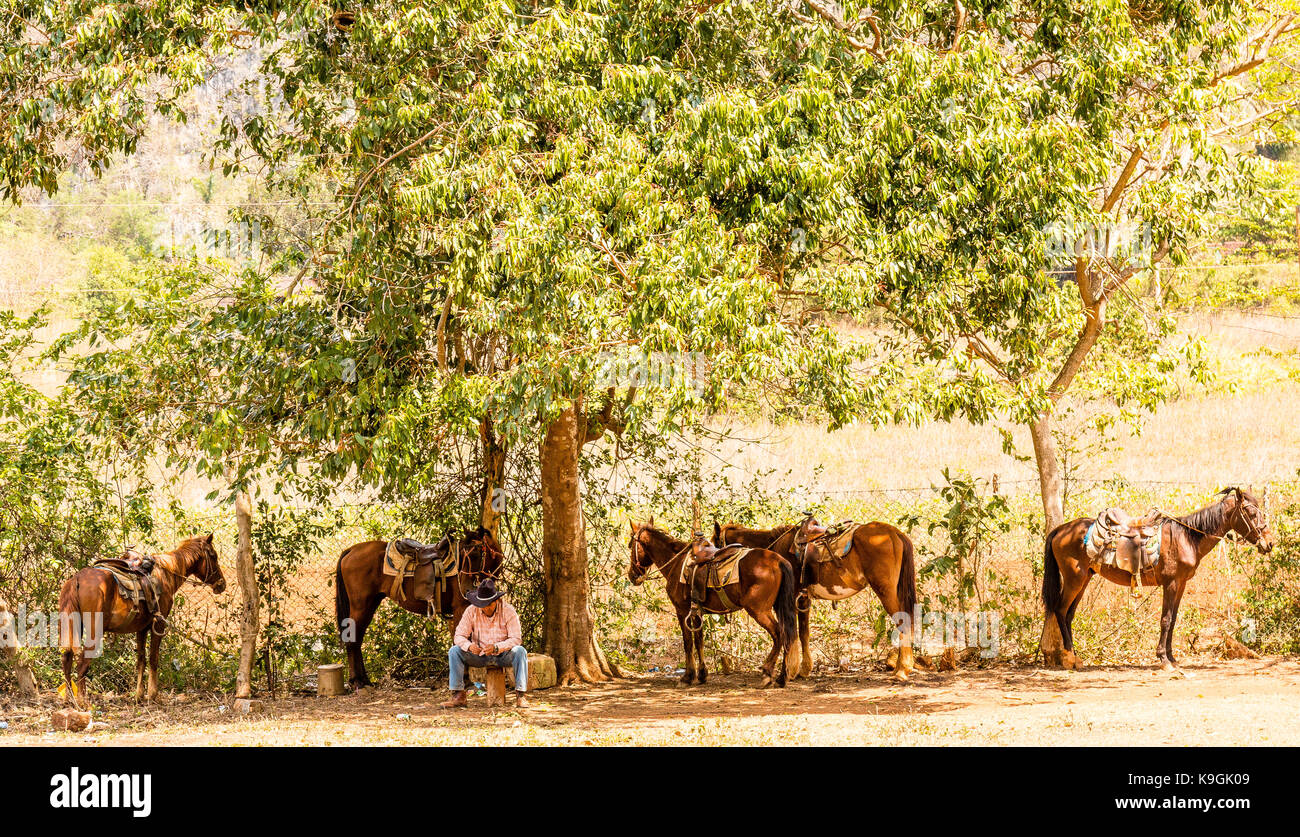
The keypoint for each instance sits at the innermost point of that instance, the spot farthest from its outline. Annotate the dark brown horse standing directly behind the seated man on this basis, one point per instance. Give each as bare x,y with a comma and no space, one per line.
361,587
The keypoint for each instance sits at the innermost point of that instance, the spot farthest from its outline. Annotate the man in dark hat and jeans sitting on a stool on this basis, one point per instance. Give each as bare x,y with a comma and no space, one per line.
488,635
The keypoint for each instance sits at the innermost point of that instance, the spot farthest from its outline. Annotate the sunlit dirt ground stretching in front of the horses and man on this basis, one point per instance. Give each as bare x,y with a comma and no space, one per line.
1243,702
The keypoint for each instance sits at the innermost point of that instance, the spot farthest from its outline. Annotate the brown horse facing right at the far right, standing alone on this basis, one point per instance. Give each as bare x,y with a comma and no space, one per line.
1185,541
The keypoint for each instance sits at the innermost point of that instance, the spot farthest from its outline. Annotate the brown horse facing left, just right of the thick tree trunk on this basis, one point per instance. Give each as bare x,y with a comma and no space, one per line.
765,591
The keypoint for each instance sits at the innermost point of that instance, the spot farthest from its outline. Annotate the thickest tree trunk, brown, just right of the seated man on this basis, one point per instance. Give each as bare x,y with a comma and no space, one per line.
569,627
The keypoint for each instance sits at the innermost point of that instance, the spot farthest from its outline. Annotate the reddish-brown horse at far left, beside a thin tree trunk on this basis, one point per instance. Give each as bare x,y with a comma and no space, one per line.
90,605
